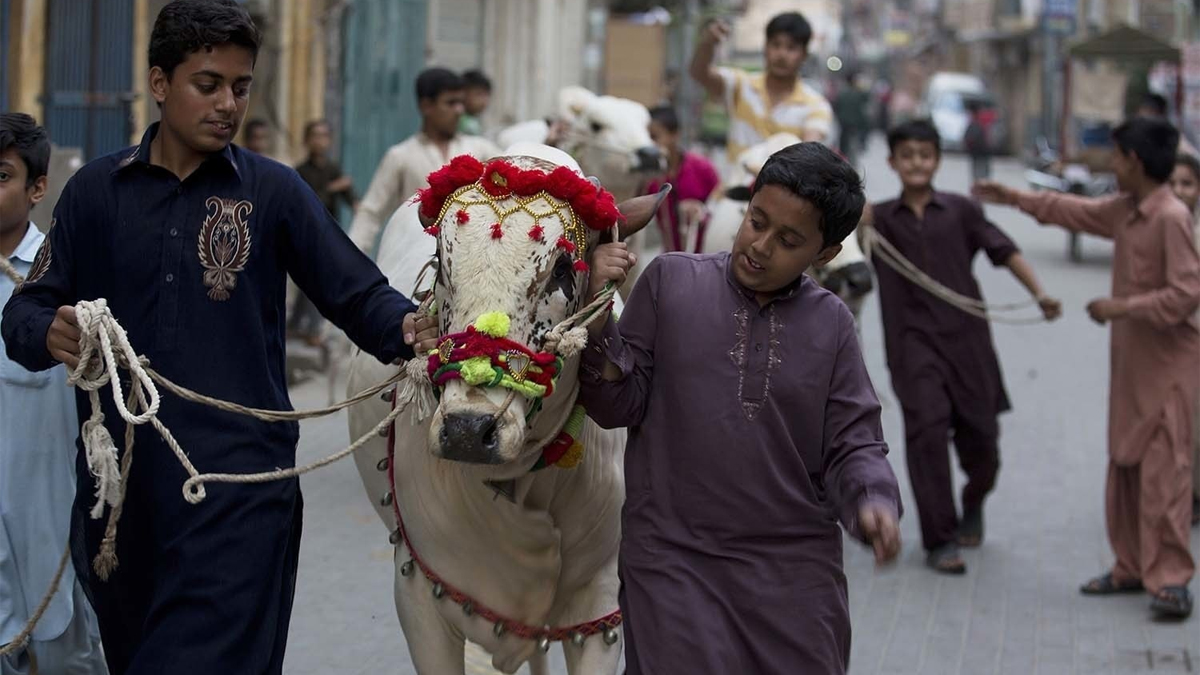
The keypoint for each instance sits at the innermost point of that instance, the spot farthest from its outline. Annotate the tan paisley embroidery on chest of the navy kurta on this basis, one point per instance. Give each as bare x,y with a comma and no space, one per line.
225,244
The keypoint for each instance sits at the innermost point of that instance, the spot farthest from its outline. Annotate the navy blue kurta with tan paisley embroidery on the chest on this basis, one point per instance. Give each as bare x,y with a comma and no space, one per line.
196,272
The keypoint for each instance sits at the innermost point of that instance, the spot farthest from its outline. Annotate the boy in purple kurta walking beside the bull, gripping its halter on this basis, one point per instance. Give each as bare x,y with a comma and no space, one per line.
753,432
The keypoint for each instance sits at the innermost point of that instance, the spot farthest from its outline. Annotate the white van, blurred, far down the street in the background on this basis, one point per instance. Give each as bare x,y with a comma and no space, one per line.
949,100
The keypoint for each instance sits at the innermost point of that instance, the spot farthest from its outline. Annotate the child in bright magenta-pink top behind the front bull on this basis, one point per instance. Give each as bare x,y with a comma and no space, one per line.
693,180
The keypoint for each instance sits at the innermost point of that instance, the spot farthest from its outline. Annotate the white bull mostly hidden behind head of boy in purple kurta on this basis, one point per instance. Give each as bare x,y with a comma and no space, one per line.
848,276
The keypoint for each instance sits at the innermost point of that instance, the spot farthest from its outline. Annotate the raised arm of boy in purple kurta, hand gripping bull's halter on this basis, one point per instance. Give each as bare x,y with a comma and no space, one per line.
615,374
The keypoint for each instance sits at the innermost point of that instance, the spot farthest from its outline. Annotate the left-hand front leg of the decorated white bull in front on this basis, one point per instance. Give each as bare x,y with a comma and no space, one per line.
433,643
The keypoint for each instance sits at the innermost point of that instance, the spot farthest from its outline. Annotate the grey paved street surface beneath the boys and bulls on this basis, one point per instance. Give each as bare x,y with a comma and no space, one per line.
1018,610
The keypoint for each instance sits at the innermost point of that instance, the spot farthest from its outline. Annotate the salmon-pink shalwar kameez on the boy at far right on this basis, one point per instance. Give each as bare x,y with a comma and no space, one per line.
1156,375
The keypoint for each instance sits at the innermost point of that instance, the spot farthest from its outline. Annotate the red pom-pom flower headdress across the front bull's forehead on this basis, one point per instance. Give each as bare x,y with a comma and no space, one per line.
501,180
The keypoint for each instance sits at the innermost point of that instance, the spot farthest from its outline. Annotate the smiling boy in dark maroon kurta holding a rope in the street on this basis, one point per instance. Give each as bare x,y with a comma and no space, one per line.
944,366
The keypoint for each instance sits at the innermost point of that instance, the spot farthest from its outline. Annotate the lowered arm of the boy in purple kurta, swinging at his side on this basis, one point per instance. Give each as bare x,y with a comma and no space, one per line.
856,471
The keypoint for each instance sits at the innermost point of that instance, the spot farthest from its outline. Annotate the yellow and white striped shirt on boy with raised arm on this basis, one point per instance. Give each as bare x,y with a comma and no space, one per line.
805,112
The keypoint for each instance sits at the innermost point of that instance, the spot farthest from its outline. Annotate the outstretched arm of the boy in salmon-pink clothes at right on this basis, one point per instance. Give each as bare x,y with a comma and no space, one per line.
1094,216
